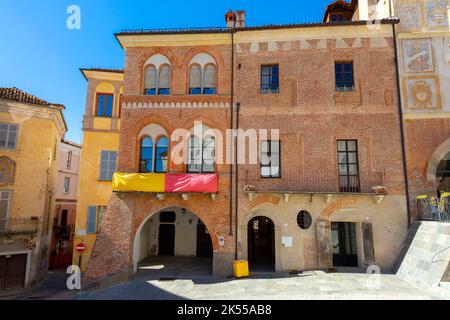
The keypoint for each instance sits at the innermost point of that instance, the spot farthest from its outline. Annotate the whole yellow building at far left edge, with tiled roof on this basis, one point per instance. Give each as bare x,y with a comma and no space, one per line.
31,130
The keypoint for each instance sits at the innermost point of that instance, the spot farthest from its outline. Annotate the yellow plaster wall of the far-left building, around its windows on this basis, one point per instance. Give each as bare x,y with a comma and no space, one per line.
36,168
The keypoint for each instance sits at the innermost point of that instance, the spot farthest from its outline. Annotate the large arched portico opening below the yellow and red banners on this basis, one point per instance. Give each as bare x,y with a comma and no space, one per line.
173,240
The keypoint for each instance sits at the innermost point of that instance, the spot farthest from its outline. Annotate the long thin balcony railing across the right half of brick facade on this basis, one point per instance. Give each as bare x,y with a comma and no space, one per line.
294,180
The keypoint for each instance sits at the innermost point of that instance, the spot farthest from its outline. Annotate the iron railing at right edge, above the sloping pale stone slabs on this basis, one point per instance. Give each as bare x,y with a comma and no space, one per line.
432,209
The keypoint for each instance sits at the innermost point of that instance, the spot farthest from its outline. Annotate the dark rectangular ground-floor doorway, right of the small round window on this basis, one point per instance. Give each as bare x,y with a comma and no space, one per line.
344,244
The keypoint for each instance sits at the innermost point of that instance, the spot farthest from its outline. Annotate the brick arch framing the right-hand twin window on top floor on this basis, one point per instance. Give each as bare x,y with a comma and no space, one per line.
220,63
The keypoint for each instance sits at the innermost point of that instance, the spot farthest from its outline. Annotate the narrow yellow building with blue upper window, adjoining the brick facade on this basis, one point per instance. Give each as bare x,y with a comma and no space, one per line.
101,125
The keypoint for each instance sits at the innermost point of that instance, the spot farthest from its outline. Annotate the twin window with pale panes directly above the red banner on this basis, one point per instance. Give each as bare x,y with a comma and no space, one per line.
202,156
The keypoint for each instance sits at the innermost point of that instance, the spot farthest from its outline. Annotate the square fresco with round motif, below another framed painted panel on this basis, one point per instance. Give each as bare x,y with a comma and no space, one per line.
423,92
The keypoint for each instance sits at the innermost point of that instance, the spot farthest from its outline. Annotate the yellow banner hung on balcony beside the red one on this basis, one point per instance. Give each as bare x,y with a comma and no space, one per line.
139,182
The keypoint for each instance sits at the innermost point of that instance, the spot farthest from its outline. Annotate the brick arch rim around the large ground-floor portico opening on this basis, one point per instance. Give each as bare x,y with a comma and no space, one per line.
140,220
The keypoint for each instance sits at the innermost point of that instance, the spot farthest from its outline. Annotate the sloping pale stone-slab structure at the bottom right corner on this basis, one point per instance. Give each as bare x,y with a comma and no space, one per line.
425,259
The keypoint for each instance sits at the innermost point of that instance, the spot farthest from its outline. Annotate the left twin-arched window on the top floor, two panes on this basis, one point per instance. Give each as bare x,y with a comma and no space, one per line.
157,82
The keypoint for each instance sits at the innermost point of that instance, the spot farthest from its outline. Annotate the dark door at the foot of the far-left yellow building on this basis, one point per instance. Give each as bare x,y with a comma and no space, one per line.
12,271
